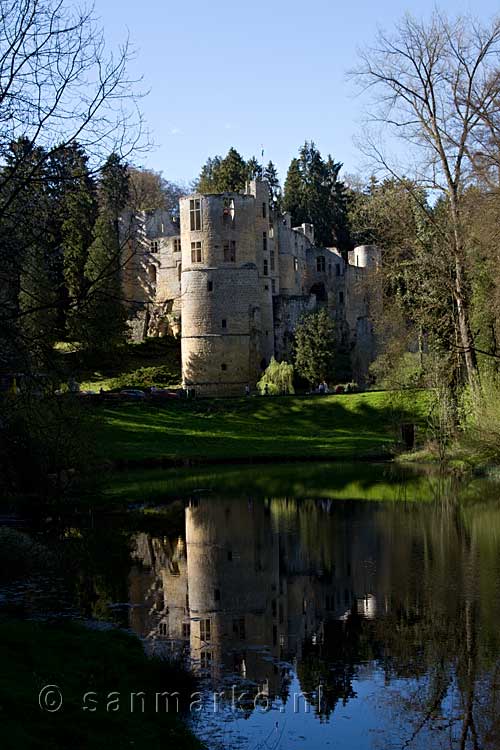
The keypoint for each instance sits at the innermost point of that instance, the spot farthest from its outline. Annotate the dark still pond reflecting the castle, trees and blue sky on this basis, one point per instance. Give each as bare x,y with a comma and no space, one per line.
321,606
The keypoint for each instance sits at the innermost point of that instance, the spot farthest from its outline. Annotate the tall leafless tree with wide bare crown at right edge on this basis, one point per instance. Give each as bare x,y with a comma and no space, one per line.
437,85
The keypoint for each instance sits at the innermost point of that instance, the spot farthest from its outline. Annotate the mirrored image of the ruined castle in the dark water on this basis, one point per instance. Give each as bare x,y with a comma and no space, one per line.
255,583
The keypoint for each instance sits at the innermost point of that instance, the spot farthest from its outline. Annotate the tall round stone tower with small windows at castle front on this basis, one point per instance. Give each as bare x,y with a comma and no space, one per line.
219,293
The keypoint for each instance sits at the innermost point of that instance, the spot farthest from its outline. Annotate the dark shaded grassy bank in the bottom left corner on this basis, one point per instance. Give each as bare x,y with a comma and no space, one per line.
79,660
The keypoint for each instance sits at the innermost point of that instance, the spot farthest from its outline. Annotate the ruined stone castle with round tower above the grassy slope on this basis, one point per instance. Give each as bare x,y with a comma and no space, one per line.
233,278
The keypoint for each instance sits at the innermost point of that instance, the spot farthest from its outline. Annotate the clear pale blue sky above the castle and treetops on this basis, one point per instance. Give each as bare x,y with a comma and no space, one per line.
243,74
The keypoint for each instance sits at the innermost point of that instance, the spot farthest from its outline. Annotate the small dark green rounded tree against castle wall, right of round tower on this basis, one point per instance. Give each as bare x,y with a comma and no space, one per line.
315,343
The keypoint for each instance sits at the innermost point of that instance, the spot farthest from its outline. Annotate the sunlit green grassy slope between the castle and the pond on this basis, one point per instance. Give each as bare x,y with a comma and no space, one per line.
348,427
